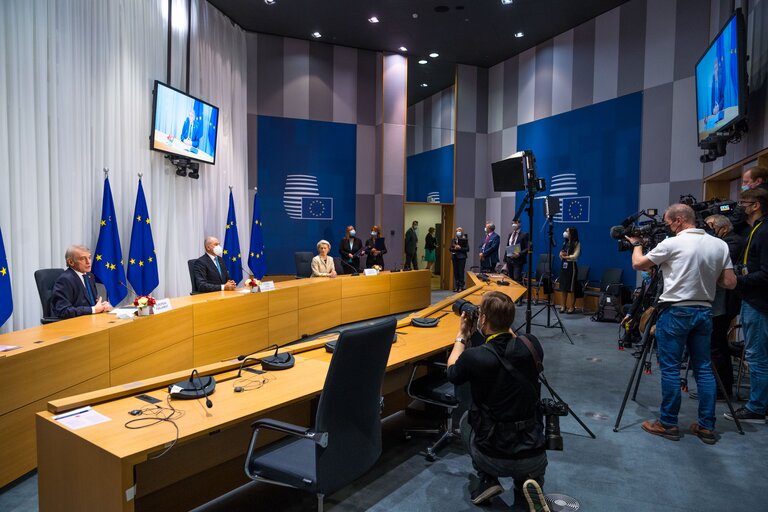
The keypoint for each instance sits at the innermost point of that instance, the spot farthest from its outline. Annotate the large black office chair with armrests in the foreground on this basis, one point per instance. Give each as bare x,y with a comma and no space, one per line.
345,441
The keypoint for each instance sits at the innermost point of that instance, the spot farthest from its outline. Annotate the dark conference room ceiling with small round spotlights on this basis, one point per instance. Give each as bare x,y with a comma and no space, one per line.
476,32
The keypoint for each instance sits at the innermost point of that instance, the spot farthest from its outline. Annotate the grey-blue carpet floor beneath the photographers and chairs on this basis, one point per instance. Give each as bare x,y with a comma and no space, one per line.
626,470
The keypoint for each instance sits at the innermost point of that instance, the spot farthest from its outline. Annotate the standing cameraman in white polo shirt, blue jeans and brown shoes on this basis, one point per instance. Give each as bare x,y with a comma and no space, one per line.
692,264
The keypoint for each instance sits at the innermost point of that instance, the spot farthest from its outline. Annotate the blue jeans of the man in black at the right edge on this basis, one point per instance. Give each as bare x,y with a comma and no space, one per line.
755,326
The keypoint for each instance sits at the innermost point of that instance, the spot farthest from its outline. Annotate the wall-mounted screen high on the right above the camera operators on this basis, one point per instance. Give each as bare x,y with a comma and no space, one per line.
721,80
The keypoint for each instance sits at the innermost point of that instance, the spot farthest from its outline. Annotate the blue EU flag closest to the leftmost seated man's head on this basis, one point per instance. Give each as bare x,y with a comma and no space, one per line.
108,256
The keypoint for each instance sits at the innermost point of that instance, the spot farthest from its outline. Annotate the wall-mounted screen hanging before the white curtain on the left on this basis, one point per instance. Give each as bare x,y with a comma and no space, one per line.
183,125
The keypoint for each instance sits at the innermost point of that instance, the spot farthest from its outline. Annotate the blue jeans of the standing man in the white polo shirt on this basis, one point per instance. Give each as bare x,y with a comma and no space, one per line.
676,328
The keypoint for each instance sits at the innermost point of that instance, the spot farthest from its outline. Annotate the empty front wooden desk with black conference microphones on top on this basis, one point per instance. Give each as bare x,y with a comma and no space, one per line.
109,467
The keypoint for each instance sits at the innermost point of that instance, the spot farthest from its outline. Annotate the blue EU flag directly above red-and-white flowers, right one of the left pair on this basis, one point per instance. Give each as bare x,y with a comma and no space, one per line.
142,263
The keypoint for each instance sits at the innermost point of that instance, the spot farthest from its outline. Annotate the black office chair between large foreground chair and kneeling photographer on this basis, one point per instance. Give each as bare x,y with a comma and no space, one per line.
434,389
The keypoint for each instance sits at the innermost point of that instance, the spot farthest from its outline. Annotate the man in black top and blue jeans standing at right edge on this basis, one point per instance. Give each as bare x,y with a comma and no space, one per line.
752,283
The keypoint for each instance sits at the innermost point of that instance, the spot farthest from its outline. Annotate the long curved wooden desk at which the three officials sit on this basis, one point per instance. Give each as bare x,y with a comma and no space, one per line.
98,351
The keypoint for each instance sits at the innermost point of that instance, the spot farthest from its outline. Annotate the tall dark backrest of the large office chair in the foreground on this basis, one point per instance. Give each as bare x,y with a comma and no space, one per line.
349,406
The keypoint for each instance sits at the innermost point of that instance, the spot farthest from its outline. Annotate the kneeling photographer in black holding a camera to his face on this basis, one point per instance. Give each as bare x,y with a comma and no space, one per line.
503,431
